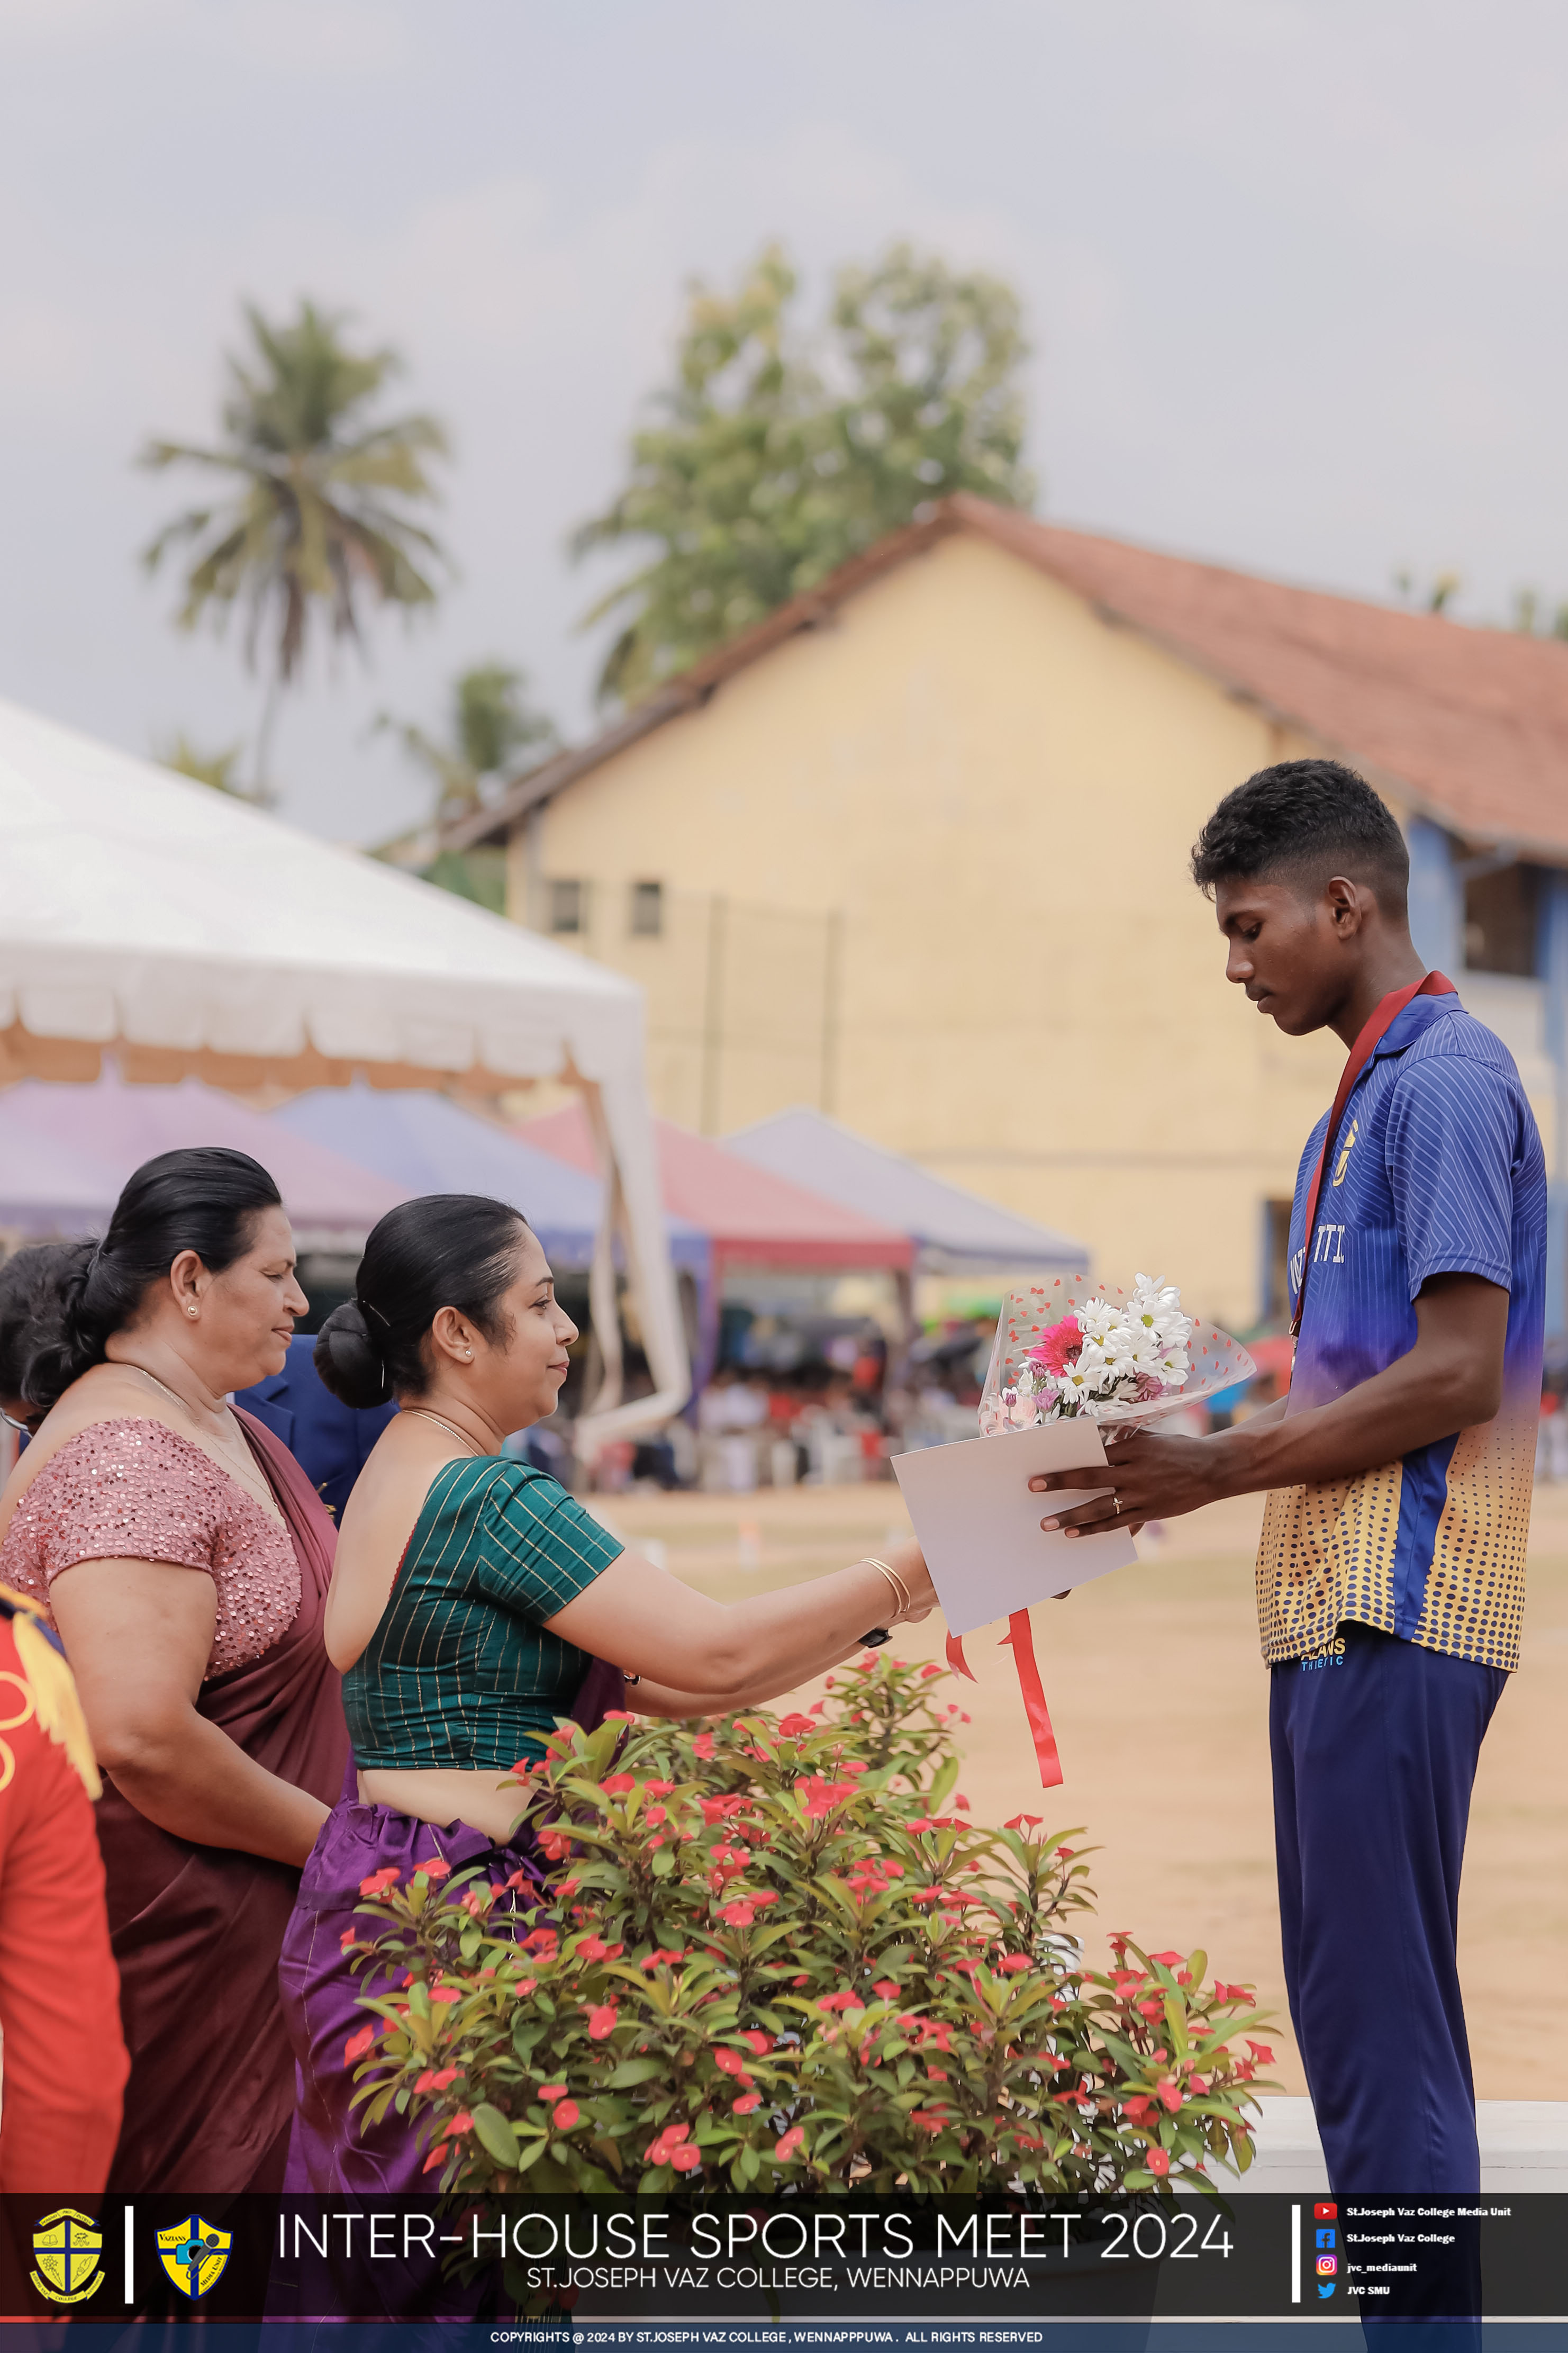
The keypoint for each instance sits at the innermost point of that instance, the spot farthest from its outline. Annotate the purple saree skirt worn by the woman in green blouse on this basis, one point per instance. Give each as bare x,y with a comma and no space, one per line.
333,2149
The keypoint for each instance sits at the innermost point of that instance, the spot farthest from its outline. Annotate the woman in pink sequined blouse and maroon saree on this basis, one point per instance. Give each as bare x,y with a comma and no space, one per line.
185,1561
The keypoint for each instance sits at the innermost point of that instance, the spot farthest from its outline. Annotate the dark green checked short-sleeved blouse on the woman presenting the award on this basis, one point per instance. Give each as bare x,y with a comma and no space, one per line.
462,1672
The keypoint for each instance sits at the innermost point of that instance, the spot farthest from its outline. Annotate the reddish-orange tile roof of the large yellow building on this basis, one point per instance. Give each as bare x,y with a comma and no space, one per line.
1470,726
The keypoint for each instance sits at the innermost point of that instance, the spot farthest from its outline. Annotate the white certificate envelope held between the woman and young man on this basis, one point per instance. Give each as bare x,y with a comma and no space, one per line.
979,1526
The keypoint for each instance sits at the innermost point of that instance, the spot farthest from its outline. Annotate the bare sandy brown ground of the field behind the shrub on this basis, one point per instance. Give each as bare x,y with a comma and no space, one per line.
1160,1712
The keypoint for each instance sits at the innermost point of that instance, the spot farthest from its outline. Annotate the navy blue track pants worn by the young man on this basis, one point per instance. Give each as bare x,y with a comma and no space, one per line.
1374,1764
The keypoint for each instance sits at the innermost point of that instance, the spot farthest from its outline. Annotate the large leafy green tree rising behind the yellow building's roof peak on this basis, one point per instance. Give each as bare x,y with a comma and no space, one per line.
775,458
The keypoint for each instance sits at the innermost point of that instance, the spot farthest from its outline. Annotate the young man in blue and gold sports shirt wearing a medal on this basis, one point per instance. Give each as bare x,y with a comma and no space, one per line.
1391,1571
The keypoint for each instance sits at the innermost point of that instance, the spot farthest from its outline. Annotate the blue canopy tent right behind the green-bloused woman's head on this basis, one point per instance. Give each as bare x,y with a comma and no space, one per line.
429,1145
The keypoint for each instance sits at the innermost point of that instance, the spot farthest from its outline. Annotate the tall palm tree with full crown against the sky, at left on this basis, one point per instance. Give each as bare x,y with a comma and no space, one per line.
321,498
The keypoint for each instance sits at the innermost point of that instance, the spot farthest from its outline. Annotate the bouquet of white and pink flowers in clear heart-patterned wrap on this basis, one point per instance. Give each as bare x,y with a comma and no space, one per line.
1108,1352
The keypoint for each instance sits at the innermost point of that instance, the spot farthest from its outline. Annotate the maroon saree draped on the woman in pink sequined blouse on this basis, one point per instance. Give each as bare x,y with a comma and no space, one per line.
196,1931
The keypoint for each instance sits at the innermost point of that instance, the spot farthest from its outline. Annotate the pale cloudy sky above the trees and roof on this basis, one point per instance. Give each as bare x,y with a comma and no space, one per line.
1294,276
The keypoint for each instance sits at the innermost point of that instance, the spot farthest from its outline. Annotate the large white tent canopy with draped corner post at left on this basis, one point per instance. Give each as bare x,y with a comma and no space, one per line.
194,935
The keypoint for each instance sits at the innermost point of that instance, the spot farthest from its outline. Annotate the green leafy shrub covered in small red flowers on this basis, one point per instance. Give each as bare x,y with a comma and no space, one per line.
779,1961
